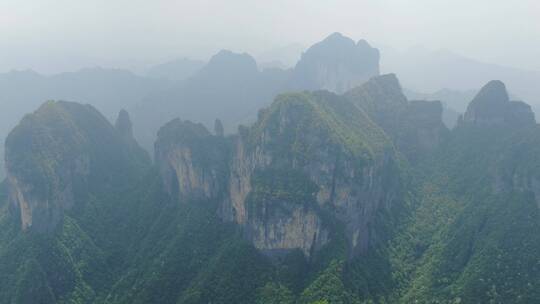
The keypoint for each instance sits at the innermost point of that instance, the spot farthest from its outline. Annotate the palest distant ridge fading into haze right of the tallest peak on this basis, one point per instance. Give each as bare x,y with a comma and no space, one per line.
425,71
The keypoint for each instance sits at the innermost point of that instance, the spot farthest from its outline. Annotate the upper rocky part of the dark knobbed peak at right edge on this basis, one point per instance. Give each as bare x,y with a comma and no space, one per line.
508,127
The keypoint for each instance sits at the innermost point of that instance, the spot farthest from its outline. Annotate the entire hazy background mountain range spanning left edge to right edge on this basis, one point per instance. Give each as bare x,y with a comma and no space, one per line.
233,86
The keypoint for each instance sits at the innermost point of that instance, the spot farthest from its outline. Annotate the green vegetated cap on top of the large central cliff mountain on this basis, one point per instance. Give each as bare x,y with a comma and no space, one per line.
321,116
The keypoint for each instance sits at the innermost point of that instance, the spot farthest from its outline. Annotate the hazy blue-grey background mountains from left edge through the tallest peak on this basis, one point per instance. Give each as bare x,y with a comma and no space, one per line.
230,87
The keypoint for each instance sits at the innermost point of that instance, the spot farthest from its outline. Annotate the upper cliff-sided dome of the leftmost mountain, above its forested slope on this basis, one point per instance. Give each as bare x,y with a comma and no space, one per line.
55,156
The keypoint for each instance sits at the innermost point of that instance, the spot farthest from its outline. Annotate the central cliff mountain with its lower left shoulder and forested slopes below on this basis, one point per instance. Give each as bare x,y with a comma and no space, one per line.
314,185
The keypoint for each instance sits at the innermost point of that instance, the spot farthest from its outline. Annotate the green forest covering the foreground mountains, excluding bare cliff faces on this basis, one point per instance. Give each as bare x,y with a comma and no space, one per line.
467,229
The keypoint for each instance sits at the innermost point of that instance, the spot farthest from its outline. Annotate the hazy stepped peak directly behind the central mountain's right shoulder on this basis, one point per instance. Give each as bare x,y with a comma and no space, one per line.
416,127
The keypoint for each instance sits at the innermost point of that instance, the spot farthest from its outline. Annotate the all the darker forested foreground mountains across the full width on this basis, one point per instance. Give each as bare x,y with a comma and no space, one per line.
363,197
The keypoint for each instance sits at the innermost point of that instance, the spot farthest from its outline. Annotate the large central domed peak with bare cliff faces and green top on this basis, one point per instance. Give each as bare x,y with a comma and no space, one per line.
320,141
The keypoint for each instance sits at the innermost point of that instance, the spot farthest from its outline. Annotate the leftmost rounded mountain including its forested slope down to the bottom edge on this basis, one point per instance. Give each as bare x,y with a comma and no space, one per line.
68,172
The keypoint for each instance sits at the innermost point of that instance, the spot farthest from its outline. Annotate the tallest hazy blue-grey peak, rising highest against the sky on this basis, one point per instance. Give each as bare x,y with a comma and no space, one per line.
336,64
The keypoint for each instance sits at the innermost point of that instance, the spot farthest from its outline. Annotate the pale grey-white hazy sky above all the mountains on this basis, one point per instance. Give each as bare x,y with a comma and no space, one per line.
58,35
